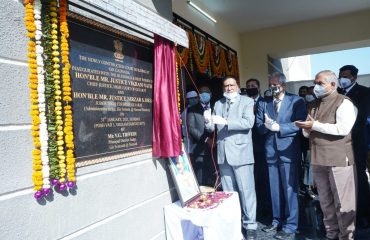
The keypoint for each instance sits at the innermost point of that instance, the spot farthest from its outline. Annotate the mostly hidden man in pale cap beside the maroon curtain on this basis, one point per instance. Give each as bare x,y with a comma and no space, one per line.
191,100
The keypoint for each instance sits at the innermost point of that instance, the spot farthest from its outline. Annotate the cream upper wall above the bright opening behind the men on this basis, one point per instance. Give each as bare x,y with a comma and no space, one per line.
321,35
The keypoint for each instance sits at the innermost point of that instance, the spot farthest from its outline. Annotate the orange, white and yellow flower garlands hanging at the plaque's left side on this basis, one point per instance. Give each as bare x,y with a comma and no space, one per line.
51,97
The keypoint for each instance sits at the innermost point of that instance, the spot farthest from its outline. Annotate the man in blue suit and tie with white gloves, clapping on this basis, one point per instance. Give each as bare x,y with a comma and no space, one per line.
275,118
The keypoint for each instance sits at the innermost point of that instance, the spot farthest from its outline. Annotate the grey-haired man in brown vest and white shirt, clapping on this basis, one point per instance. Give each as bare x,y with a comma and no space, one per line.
328,126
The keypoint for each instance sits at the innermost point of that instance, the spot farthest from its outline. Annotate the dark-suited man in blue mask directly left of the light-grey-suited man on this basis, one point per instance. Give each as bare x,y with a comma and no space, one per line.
202,139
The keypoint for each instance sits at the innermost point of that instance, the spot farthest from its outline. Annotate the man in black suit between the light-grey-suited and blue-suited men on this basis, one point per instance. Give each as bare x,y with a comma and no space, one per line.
260,165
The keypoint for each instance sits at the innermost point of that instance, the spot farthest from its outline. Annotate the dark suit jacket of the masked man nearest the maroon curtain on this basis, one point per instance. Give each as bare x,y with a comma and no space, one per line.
197,131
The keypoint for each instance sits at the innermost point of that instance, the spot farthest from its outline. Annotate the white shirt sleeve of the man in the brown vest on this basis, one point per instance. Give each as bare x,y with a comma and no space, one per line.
345,118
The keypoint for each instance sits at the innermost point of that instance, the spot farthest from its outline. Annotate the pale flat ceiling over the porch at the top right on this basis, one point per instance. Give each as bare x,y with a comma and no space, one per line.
248,15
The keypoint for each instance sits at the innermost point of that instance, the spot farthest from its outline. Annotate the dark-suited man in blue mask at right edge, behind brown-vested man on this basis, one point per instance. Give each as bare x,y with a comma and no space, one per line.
360,97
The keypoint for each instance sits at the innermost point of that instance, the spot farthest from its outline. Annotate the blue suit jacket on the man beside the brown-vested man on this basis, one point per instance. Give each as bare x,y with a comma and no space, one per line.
285,143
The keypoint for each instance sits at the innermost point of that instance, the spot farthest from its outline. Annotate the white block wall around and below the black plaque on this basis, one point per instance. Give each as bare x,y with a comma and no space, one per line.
121,199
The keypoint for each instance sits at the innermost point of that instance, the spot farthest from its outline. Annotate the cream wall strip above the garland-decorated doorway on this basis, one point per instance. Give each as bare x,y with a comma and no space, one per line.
221,30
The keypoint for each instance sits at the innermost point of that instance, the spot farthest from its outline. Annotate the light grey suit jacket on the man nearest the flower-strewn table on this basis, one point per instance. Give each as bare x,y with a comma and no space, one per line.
234,140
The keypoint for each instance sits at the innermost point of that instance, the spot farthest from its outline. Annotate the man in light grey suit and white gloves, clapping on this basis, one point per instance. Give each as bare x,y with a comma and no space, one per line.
234,118
